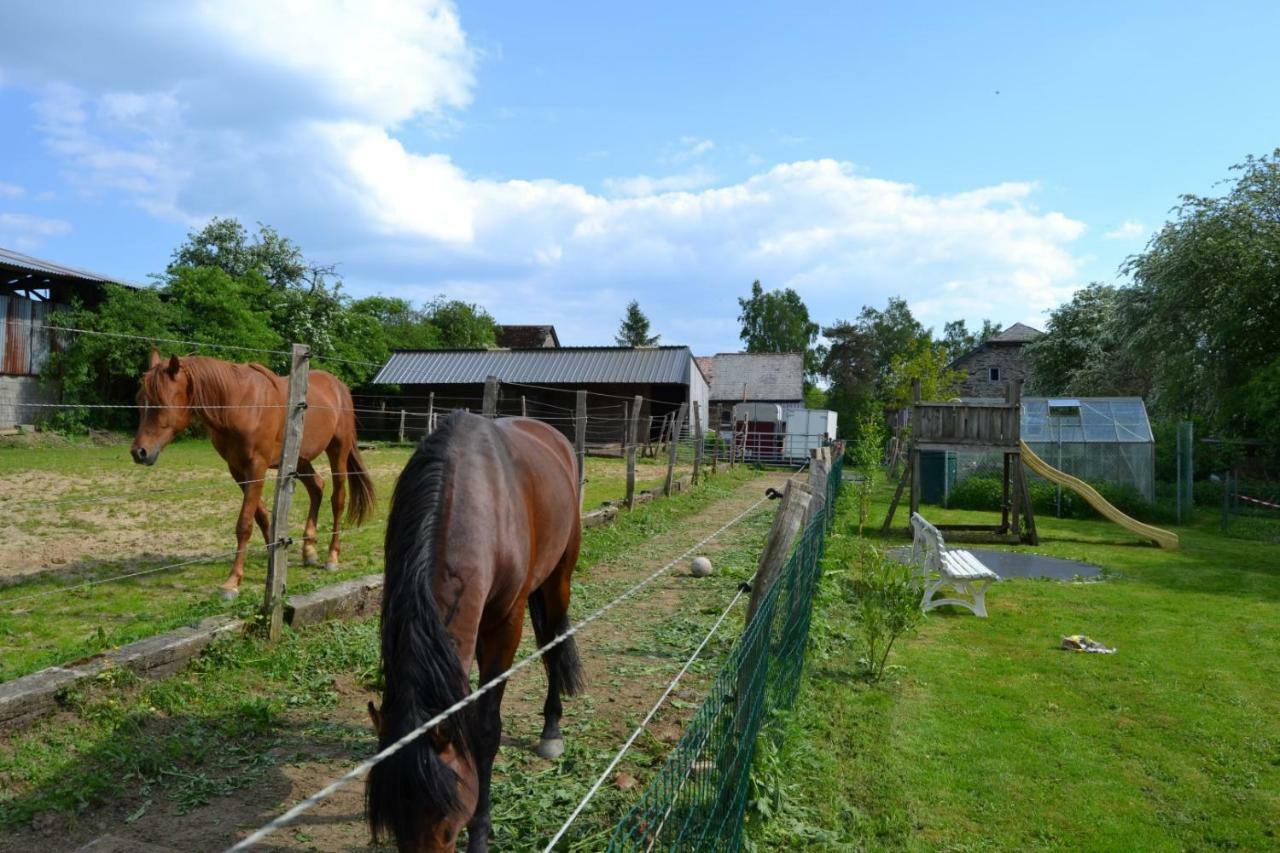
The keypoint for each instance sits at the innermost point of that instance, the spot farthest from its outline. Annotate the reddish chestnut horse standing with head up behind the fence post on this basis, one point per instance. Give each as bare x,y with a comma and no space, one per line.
243,405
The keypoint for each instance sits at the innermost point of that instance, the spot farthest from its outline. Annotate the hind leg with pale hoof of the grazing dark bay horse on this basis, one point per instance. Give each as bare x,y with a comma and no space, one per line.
548,610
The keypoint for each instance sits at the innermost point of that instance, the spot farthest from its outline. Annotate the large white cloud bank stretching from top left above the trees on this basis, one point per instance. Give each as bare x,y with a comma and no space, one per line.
291,115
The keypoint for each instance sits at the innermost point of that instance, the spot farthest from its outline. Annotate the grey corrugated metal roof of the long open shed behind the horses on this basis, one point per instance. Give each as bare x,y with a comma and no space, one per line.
545,366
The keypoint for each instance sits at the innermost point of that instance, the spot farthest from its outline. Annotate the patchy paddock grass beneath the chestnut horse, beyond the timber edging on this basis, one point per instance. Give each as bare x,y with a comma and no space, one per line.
77,514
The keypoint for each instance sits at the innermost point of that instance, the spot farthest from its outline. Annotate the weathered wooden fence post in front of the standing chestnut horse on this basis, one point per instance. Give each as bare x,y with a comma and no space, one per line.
277,555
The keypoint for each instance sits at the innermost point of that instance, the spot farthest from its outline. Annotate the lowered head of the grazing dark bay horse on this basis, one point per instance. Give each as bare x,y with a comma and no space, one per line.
451,795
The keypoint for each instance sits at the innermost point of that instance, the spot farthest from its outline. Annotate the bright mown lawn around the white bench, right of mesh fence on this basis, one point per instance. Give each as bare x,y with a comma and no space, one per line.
988,737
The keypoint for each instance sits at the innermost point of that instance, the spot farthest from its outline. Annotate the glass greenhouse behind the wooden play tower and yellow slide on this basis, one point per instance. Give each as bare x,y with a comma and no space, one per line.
1100,440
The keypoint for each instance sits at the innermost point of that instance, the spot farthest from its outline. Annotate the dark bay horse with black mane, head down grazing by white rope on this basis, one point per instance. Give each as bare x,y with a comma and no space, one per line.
484,521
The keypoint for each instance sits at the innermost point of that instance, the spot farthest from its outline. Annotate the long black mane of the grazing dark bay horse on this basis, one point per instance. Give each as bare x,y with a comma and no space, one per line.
422,670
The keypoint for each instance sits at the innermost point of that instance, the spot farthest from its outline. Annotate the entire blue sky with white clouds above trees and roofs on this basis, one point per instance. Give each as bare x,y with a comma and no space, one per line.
555,161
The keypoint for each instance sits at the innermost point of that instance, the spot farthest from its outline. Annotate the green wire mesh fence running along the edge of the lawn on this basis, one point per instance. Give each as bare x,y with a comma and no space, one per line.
698,800
